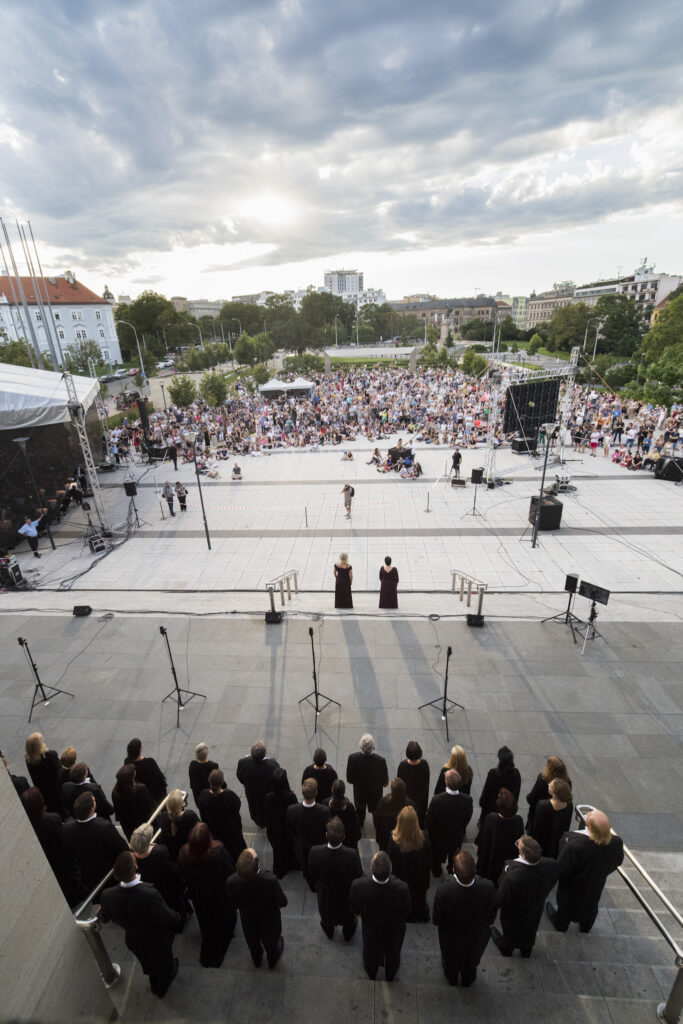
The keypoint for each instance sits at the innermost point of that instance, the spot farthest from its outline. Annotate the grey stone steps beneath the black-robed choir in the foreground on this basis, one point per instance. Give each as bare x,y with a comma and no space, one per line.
619,973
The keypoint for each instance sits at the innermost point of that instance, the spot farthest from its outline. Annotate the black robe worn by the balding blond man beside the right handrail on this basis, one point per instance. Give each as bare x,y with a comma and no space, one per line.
584,868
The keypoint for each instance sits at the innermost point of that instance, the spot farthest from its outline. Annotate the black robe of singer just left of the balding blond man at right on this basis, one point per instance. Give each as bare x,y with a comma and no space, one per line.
523,890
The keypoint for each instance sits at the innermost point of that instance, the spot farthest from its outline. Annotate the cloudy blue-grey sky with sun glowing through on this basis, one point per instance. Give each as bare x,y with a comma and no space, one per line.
222,147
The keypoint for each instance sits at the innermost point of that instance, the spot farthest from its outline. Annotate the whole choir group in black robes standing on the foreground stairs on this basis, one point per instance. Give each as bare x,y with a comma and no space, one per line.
169,862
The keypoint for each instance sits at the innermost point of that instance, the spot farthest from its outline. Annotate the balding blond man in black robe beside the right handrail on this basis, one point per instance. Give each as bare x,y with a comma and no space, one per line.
586,860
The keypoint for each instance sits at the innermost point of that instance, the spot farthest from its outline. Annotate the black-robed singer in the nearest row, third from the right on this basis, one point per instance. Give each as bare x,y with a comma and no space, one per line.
464,910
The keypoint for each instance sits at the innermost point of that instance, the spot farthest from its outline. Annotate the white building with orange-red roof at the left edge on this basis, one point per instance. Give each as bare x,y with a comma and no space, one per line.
78,315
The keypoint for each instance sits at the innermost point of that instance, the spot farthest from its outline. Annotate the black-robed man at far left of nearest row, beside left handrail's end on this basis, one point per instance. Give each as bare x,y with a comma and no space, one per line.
150,925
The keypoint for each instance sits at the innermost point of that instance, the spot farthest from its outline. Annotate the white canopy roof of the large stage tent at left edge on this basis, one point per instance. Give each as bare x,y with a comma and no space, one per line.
38,398
